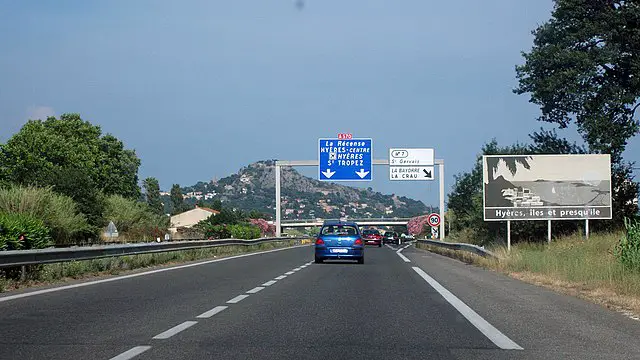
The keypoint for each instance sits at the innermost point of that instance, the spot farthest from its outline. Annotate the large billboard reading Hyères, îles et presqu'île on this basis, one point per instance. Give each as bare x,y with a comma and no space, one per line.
546,187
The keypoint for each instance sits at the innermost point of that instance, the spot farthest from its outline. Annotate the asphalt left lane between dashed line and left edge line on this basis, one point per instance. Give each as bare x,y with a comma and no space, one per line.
103,320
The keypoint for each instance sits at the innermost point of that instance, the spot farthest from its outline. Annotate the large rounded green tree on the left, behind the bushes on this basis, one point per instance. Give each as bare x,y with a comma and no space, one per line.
74,157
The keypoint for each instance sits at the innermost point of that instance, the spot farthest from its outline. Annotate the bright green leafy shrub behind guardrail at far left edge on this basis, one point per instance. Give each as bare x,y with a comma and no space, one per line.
13,225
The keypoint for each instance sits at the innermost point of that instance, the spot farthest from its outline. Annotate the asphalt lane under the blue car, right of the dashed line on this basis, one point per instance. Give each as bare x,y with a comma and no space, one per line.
379,310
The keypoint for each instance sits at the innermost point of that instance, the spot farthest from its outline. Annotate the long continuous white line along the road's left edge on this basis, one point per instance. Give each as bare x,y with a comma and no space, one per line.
95,282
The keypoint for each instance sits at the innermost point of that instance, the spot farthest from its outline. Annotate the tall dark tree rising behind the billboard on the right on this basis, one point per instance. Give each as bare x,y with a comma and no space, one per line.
585,68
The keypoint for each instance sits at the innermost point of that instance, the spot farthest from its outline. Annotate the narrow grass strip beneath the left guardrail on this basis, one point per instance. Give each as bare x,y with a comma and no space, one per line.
60,272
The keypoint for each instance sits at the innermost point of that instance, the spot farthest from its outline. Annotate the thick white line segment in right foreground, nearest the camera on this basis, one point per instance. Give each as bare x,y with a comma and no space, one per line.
493,334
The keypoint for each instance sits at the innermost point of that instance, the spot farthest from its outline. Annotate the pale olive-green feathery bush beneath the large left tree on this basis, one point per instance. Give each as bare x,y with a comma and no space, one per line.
58,212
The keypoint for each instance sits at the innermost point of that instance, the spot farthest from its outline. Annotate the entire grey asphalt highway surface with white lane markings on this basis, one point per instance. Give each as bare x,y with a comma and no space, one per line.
279,305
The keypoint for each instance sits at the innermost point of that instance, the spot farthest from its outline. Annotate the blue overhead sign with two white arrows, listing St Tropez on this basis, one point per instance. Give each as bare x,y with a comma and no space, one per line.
344,160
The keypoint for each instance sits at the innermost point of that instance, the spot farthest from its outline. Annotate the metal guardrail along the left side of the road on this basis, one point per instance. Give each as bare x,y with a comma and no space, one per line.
54,255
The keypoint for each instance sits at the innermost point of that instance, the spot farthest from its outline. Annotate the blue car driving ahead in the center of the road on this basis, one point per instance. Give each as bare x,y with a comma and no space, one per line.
339,240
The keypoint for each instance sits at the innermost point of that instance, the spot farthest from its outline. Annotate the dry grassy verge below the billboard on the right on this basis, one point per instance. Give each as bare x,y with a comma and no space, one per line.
571,265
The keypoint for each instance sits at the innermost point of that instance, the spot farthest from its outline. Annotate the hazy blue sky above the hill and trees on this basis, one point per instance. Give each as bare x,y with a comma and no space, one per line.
202,88
